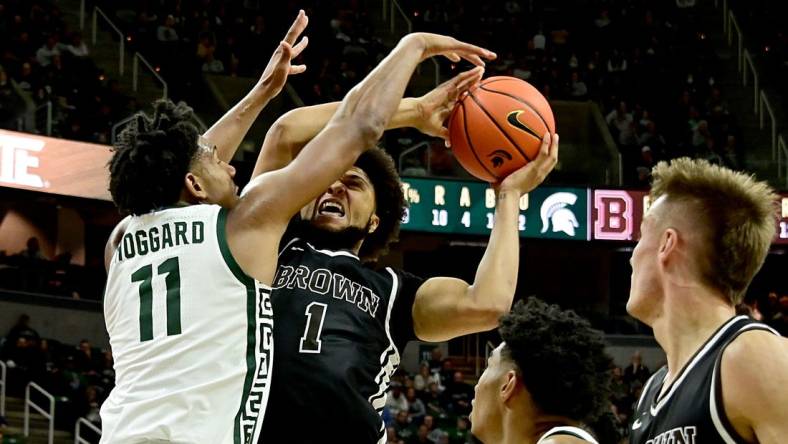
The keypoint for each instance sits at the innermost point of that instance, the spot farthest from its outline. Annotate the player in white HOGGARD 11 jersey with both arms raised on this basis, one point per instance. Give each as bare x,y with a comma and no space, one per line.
187,303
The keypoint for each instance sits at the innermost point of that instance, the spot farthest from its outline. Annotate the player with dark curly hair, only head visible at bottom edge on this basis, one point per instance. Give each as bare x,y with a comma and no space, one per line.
547,379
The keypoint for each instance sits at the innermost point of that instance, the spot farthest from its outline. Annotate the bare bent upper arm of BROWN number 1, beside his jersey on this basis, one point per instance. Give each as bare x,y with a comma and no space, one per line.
447,308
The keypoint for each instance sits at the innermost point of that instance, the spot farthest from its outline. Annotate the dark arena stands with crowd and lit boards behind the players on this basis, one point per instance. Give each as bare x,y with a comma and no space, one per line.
631,82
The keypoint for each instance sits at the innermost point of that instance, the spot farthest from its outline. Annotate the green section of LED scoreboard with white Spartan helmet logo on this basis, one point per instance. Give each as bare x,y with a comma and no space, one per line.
461,207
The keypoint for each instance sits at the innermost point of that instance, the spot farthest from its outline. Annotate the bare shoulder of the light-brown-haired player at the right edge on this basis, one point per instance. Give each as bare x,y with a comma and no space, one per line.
755,386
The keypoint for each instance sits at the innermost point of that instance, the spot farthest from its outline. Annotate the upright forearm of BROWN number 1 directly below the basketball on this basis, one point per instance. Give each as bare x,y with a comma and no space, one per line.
496,276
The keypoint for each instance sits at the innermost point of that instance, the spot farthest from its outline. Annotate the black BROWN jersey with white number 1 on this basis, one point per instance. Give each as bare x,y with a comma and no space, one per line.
342,327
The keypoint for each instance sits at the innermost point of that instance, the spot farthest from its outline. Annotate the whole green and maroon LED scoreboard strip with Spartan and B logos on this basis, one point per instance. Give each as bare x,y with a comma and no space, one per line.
465,207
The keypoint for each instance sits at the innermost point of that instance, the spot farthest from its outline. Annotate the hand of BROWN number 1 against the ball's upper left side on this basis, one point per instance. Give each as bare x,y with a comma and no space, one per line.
435,106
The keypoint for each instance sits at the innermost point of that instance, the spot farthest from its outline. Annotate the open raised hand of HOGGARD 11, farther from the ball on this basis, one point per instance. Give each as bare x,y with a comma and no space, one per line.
279,67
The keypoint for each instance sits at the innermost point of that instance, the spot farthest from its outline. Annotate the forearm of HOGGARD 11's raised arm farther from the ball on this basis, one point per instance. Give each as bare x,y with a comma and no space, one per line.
228,132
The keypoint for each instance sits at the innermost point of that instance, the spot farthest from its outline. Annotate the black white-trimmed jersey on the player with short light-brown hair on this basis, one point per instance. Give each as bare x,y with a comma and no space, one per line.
691,409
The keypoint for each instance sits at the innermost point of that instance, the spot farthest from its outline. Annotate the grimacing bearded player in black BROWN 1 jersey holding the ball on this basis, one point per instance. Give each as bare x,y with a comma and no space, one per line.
346,323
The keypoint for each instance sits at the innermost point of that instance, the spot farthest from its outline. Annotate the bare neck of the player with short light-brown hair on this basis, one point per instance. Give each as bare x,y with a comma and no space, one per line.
689,318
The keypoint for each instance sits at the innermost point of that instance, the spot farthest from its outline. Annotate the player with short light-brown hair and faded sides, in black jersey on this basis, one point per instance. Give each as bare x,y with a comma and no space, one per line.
705,236
